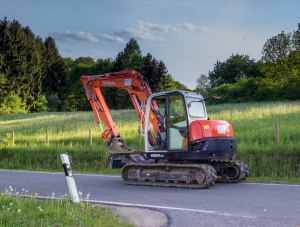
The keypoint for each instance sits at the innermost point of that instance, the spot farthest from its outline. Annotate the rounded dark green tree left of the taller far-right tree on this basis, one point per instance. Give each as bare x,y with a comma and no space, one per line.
234,67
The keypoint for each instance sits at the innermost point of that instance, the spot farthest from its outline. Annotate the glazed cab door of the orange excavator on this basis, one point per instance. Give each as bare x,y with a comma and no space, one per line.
177,122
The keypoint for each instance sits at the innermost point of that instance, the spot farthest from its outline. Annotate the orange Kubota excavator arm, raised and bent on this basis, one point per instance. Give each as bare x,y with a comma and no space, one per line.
137,88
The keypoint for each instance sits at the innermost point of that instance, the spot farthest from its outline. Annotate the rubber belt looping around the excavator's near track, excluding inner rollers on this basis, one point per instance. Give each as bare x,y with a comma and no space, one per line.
208,170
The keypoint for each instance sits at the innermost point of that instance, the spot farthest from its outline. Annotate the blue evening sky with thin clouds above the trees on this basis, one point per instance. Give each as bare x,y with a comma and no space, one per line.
188,36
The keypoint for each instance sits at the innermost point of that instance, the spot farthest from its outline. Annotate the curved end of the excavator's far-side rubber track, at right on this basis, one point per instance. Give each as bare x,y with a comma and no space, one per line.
243,172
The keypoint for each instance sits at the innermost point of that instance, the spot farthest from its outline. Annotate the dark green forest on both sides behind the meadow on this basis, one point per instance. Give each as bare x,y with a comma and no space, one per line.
34,77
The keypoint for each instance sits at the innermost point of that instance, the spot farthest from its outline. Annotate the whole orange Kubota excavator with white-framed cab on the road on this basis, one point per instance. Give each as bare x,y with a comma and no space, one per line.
183,147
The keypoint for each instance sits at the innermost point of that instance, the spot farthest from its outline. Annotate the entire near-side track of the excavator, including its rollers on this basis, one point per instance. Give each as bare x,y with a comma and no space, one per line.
169,175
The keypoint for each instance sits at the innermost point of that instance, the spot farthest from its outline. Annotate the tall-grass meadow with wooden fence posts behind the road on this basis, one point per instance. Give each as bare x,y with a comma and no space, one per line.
253,125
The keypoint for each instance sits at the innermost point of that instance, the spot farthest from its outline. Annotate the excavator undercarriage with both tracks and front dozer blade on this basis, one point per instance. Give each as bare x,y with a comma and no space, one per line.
137,169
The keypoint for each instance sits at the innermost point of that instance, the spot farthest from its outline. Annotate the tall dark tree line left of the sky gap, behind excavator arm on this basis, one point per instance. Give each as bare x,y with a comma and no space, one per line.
34,77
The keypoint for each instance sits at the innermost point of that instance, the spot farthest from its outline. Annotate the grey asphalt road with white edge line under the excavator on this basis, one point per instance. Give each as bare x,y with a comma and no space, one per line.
243,204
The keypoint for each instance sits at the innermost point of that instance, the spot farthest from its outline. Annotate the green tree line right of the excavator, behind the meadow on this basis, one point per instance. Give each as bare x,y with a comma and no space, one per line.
276,76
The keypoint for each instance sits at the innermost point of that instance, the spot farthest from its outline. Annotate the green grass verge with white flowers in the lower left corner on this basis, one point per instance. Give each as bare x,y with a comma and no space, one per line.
35,212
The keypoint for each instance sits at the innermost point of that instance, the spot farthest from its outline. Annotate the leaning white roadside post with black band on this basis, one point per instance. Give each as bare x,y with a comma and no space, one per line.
69,177
